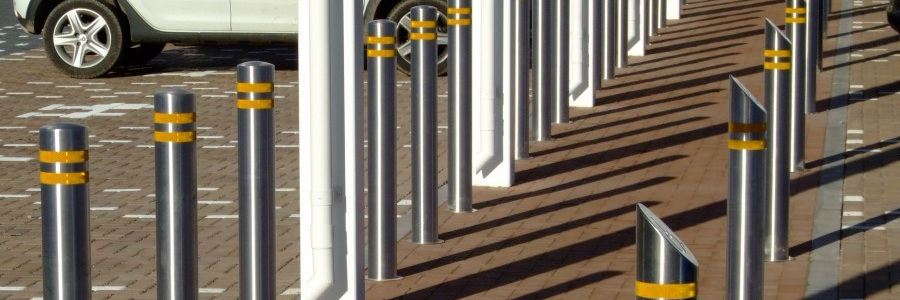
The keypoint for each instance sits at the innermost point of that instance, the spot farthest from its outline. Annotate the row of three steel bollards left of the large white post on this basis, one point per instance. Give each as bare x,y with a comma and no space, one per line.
65,205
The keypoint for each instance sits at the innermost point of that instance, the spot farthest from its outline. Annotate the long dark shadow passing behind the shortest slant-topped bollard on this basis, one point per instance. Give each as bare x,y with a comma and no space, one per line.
578,252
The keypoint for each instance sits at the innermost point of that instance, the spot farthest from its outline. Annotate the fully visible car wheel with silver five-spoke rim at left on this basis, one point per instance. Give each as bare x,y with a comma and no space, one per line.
84,39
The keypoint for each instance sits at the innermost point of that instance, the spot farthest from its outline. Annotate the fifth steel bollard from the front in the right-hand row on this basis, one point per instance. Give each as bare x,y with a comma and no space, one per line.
813,50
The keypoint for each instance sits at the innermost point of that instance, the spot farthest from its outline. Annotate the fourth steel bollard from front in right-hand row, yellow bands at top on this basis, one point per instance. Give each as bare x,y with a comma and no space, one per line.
795,20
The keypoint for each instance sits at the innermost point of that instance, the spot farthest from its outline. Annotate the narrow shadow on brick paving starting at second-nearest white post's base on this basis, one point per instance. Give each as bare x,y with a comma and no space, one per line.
592,159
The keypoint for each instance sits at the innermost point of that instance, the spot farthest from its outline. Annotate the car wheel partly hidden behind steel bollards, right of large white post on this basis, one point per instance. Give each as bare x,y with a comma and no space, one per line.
400,15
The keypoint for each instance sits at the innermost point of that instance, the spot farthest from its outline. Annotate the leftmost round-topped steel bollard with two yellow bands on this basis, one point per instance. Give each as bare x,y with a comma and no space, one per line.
65,211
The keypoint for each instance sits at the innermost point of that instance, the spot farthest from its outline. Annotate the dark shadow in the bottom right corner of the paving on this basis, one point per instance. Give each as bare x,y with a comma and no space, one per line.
863,284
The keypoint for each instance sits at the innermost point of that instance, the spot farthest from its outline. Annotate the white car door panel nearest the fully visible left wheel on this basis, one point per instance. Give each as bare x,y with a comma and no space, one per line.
185,15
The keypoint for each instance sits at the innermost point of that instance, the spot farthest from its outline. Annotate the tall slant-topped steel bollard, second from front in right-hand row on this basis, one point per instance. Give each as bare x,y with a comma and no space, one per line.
746,195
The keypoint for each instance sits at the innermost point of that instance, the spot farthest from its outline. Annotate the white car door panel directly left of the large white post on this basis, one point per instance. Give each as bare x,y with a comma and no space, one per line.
267,16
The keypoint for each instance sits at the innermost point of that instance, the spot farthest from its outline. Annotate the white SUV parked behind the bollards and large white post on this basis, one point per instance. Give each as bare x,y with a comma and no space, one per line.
88,38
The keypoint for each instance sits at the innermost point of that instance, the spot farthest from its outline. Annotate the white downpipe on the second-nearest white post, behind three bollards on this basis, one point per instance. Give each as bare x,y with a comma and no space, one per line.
489,92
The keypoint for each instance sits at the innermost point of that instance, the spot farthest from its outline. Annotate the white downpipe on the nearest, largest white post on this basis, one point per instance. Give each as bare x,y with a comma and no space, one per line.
321,187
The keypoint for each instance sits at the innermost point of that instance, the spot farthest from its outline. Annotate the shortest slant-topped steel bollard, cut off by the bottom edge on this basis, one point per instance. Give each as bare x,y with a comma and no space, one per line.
666,268
